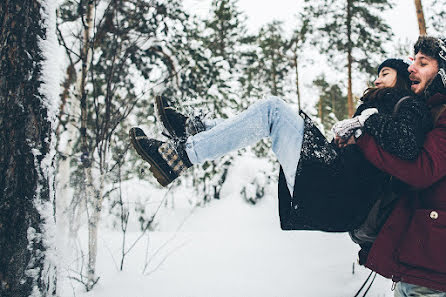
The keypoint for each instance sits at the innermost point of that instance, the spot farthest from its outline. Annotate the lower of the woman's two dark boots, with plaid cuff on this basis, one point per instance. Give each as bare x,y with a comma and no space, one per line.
167,159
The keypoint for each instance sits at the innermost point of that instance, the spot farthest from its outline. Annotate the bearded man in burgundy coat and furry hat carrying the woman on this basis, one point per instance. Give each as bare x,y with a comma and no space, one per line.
411,246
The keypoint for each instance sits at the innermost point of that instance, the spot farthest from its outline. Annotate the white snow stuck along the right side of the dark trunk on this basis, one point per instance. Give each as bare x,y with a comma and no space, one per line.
50,87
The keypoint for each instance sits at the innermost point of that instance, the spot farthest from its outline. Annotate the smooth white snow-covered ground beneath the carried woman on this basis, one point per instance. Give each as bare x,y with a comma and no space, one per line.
227,248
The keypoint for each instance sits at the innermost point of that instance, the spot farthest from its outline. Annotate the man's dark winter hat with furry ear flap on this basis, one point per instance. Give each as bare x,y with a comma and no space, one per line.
435,48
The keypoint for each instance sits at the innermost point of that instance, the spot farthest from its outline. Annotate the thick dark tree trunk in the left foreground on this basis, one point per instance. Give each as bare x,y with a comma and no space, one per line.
25,133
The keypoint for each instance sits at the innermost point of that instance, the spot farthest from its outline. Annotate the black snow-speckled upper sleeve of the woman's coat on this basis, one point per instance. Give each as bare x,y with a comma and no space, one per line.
401,134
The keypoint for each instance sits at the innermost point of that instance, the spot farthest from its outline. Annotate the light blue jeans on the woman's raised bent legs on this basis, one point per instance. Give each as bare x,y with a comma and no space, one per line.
269,117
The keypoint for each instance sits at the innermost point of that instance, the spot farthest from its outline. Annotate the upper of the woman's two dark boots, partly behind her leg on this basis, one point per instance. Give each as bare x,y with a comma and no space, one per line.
177,125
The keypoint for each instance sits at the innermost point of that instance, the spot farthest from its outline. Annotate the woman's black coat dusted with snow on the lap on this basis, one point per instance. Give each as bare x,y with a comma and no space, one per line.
336,188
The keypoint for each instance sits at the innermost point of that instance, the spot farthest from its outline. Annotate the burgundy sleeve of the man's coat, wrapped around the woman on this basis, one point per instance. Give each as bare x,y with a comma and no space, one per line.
422,172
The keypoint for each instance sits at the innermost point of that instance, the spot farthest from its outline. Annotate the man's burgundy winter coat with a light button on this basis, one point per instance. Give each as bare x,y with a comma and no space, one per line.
411,246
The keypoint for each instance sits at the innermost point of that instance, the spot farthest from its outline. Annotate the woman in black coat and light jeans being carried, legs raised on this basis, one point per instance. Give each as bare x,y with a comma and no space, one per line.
321,186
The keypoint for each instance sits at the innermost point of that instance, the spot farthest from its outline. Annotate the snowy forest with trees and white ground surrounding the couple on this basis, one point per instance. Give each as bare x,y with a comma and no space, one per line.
105,227
